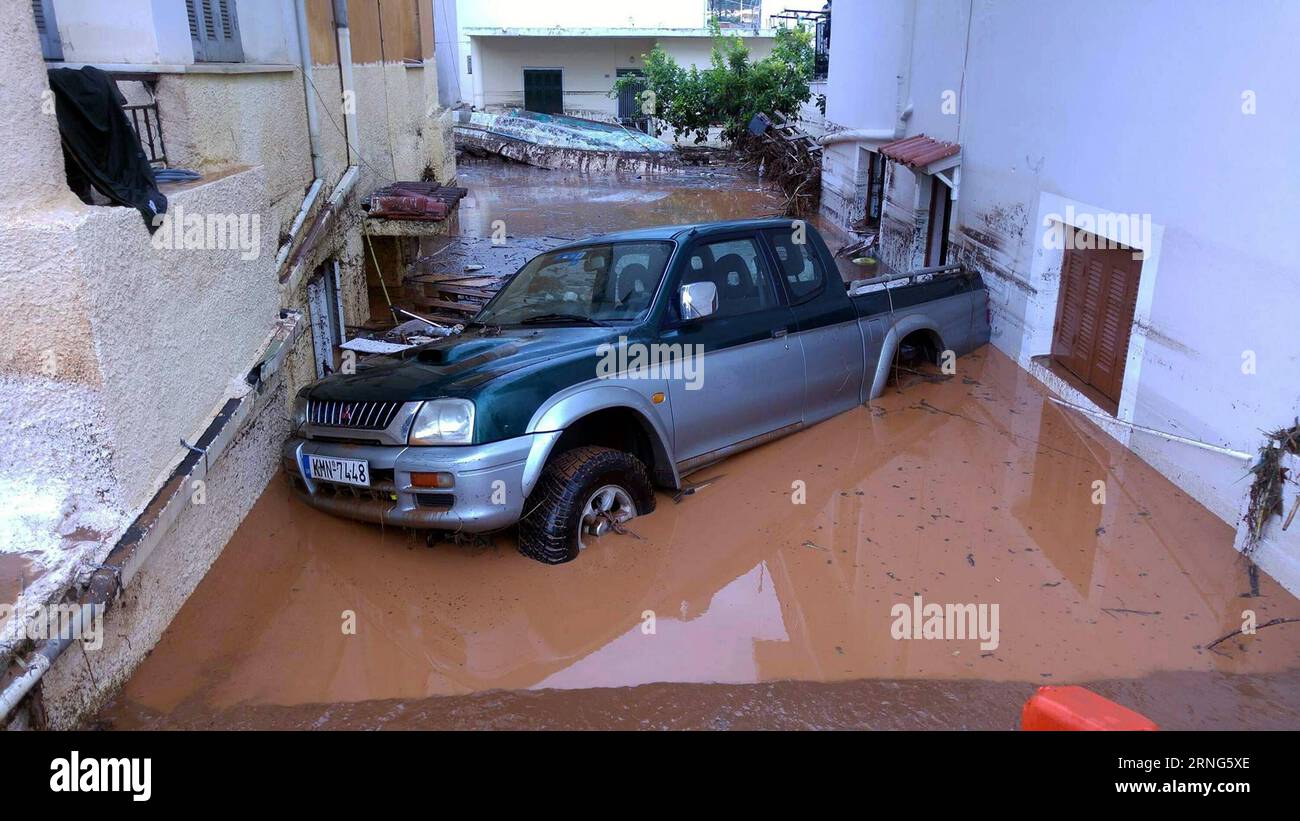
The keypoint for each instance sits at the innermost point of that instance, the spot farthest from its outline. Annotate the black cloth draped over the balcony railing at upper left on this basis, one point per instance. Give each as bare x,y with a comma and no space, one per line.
101,147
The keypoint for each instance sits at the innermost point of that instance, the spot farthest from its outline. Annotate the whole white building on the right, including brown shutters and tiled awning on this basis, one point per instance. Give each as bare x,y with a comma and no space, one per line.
1124,201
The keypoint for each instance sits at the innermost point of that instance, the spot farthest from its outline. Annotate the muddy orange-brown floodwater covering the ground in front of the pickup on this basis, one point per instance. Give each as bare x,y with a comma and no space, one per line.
969,489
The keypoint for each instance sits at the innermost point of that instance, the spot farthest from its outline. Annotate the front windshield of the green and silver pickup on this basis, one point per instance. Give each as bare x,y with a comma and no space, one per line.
612,283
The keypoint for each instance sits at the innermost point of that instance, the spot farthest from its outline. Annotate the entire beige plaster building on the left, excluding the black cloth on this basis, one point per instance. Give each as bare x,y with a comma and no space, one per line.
149,375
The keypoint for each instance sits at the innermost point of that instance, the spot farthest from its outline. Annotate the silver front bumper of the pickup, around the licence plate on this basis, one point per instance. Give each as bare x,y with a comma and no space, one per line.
492,483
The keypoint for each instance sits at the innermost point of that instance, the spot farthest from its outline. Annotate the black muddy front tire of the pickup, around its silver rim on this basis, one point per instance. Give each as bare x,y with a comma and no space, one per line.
551,531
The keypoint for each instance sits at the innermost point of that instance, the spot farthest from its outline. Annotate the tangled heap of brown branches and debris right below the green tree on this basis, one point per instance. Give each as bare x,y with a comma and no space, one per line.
787,157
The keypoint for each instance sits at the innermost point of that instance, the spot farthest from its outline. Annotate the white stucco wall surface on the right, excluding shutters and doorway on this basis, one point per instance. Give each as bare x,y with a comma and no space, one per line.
1089,111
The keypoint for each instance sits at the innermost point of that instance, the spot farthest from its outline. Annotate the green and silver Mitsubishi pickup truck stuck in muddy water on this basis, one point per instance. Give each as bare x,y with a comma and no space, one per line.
612,367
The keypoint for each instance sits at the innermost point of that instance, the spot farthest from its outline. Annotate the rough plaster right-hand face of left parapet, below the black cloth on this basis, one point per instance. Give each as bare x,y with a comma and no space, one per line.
175,327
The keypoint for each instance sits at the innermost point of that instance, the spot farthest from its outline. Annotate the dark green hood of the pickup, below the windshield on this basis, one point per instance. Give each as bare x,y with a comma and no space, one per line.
462,364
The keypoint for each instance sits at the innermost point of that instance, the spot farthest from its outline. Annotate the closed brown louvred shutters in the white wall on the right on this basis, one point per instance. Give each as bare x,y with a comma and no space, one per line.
1095,315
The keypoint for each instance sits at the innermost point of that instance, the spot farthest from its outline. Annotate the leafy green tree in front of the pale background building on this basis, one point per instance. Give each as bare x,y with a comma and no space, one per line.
731,90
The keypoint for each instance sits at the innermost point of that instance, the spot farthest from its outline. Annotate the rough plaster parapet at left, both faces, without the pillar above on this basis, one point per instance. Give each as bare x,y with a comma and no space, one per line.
148,340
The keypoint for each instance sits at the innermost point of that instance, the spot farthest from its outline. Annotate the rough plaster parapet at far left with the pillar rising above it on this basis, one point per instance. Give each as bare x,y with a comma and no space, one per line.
116,349
